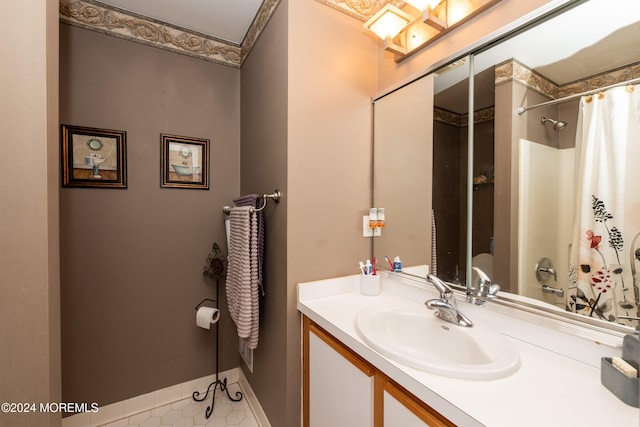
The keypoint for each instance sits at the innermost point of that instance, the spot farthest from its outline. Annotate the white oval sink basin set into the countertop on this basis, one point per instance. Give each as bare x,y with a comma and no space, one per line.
415,337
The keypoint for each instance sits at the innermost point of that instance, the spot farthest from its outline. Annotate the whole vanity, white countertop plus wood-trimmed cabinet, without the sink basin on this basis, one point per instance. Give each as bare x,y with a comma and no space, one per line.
347,382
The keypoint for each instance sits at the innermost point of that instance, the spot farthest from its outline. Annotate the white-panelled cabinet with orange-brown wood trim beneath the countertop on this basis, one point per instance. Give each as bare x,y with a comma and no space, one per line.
342,388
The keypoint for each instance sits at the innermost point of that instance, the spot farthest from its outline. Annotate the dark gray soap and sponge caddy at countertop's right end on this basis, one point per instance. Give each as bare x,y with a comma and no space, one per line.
623,387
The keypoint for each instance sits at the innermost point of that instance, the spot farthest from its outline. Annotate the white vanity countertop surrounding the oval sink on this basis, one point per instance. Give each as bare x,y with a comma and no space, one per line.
558,383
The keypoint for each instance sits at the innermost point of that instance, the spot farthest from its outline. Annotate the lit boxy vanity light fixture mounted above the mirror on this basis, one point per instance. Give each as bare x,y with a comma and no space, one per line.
416,23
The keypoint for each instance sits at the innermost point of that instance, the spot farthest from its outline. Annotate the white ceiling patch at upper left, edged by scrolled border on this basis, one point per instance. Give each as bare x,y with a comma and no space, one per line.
227,20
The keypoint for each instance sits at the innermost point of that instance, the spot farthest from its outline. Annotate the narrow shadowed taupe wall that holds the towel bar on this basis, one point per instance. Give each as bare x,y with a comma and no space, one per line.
264,169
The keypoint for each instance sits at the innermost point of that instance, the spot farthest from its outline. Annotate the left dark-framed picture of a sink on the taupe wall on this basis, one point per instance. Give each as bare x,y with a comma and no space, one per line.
93,157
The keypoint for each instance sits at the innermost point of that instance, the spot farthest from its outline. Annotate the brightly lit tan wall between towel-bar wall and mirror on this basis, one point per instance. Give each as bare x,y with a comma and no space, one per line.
331,81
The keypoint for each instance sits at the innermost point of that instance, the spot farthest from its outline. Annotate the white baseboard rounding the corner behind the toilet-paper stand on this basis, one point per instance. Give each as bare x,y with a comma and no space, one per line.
145,402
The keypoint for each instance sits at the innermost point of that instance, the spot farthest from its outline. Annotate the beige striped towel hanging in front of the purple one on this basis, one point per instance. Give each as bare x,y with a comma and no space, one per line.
242,275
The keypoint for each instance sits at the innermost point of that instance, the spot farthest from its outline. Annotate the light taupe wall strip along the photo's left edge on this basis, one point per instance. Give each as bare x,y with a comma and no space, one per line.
29,269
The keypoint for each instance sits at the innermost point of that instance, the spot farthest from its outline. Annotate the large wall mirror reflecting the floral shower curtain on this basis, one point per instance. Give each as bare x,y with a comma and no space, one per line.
554,210
